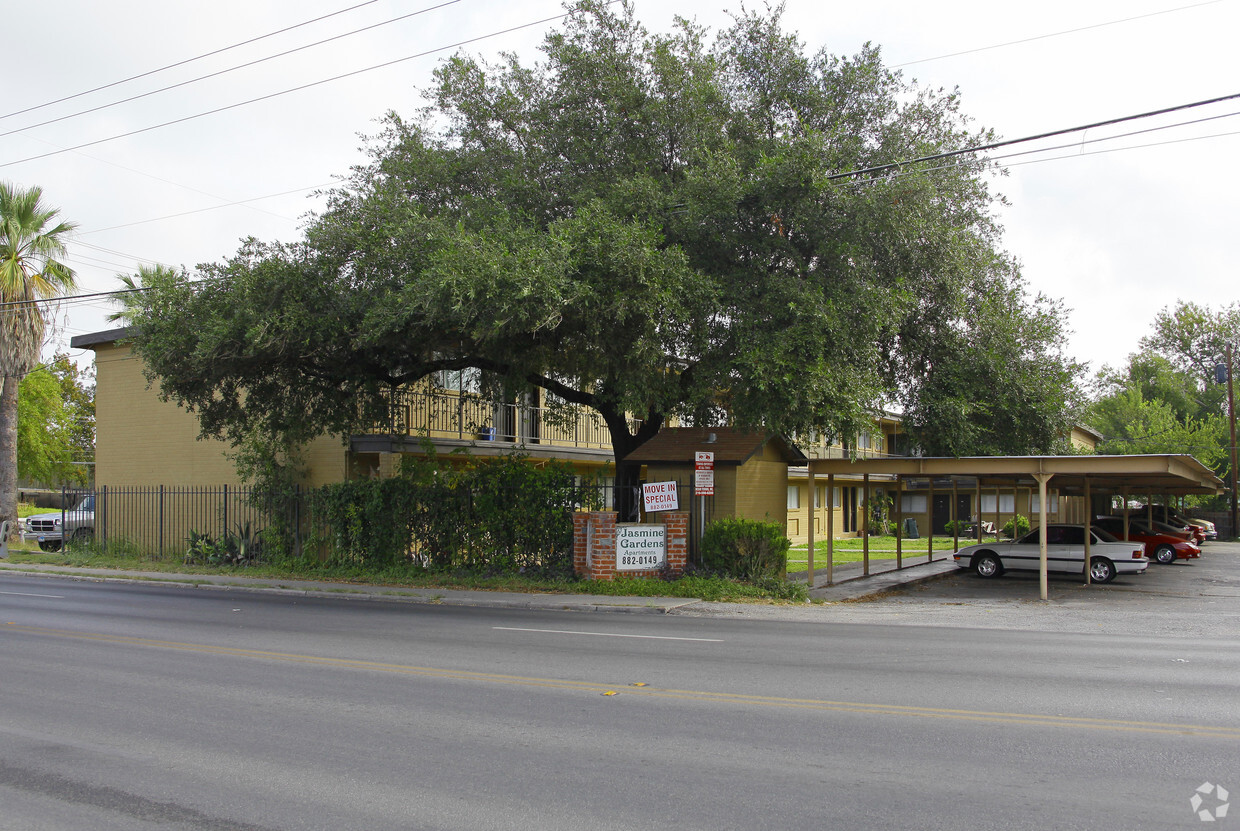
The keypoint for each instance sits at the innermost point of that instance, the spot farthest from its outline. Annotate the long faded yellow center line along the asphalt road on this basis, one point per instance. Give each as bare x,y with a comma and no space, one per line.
654,693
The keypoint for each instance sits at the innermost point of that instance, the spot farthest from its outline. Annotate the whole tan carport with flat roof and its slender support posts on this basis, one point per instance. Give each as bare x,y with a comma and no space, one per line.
1165,474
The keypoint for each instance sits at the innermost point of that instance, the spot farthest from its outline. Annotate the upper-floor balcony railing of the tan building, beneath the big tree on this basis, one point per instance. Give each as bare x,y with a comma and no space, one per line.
469,417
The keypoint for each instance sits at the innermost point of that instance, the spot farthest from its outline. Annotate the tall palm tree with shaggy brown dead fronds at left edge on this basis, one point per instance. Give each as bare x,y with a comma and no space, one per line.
30,271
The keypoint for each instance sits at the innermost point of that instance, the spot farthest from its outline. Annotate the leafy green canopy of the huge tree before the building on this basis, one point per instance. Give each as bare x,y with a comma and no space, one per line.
655,226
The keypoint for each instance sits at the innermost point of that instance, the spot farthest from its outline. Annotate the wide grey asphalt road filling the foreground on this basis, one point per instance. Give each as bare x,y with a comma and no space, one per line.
148,708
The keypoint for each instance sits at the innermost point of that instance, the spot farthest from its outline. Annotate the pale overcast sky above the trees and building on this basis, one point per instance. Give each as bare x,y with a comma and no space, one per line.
1117,228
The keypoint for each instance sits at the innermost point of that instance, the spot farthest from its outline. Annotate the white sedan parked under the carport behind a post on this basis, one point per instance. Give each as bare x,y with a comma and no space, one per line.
1066,553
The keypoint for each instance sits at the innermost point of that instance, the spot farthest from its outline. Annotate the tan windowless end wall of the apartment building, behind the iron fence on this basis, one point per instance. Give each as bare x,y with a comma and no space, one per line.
143,441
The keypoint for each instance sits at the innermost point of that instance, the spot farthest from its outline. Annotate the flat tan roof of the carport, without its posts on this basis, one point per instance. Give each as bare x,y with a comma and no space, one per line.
1138,474
